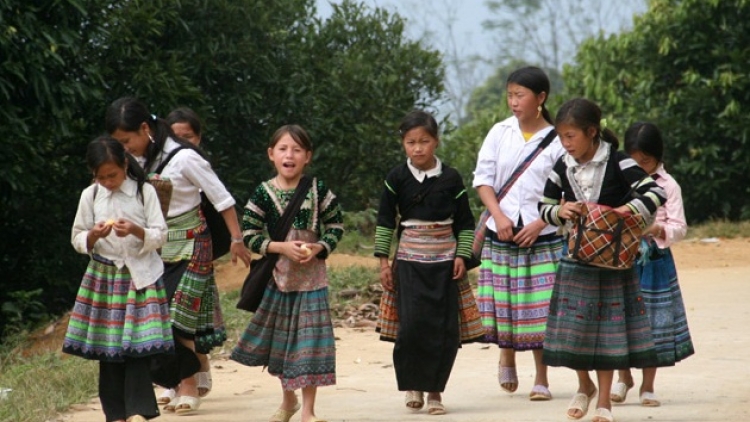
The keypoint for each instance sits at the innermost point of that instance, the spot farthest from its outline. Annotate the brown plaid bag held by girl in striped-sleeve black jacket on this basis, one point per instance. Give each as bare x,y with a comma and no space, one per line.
604,238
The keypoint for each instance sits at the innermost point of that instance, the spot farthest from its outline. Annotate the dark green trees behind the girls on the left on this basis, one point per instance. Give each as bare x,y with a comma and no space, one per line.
247,66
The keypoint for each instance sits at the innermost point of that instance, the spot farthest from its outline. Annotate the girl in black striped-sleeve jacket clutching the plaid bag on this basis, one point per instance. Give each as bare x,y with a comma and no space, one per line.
597,320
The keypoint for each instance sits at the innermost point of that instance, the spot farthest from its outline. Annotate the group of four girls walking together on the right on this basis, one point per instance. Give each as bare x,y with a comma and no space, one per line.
530,296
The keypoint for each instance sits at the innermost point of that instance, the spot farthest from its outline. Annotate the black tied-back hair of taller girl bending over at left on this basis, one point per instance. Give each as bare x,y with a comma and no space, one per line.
128,114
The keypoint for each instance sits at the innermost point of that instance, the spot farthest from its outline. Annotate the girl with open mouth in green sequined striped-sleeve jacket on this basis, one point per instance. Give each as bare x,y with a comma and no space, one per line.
291,332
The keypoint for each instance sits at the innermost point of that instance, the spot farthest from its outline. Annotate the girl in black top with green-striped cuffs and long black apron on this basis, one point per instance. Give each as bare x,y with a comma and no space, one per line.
435,234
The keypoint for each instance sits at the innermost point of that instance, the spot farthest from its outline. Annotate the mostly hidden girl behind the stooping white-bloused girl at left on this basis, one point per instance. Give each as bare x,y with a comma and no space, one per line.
186,124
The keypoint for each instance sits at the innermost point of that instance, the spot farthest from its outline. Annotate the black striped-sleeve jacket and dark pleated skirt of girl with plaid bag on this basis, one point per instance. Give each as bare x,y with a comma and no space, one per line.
597,316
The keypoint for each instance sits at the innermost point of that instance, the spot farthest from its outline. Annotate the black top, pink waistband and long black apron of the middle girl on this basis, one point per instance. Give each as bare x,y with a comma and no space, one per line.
428,314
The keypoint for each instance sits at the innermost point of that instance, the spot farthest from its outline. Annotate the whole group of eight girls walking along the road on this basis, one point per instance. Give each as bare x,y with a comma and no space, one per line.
148,307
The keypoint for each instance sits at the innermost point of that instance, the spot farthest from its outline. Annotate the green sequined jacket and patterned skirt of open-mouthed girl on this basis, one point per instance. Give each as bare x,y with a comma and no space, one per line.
291,332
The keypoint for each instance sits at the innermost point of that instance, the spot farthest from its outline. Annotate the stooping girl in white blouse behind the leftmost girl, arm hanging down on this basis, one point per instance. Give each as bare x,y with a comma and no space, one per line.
189,272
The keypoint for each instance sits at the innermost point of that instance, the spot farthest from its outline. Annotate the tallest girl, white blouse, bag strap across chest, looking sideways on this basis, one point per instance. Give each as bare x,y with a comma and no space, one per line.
520,252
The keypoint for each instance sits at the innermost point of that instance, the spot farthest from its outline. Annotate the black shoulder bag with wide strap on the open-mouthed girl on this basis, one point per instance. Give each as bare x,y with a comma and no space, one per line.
261,270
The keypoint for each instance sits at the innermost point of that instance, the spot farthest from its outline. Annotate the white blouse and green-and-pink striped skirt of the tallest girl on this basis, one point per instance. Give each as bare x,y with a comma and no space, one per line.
515,283
